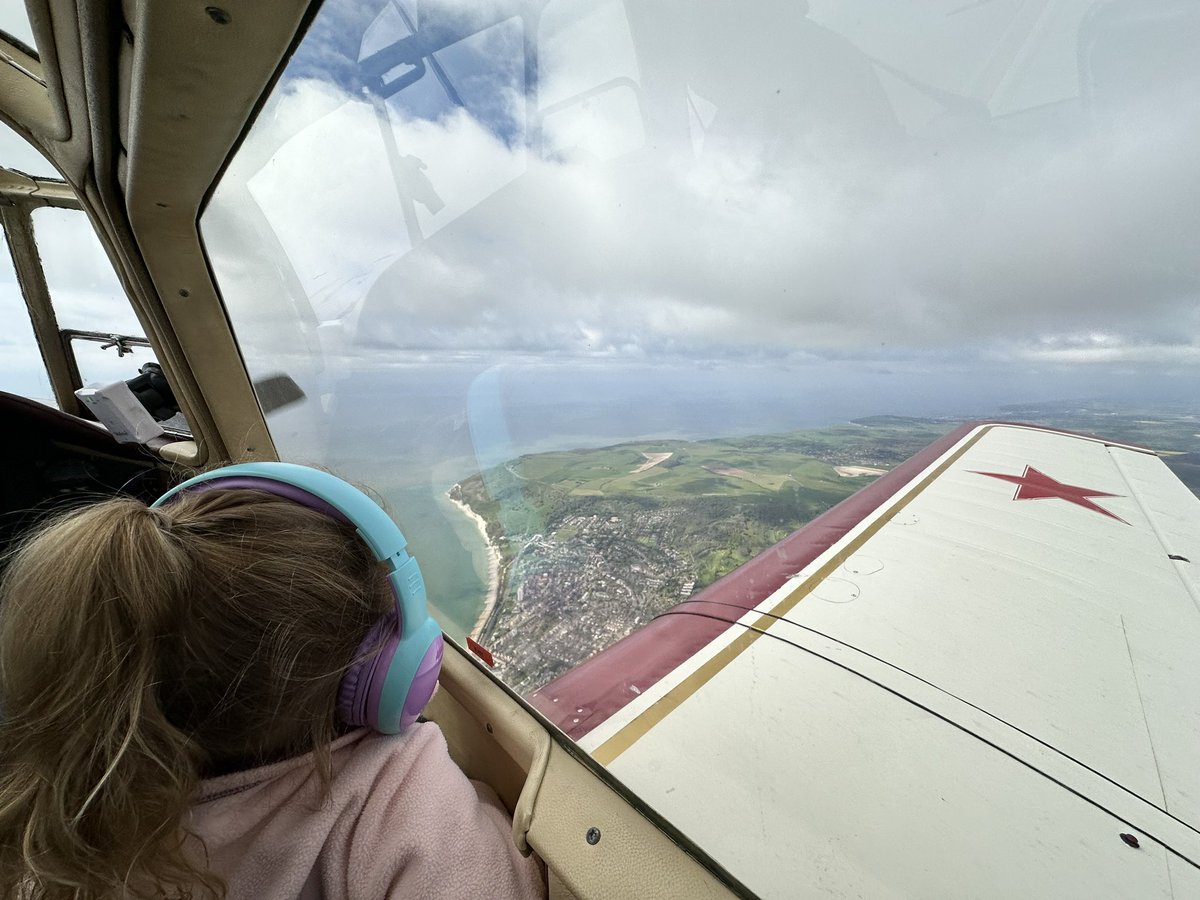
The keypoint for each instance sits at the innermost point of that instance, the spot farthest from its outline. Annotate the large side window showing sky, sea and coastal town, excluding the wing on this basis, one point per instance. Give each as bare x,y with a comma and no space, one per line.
565,281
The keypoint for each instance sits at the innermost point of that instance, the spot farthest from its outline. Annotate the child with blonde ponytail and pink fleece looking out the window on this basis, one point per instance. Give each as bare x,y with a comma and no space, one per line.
169,686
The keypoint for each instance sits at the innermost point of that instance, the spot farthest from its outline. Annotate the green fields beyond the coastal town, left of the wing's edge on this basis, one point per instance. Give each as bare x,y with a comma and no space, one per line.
719,503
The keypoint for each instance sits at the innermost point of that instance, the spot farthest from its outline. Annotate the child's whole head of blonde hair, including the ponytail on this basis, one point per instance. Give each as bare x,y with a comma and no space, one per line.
143,650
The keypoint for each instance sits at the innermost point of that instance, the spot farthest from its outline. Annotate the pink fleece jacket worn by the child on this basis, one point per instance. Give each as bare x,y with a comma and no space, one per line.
401,821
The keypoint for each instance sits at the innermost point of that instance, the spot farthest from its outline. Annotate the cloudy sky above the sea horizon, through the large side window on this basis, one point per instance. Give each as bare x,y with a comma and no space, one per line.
962,201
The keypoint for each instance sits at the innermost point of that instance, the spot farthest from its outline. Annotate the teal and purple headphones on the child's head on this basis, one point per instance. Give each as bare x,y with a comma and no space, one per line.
388,691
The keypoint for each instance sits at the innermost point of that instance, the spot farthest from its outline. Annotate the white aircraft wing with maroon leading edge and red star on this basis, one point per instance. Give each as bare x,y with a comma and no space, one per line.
979,675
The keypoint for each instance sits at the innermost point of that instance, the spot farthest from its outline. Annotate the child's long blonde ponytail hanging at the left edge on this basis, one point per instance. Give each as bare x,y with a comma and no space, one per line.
94,781
